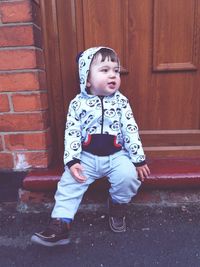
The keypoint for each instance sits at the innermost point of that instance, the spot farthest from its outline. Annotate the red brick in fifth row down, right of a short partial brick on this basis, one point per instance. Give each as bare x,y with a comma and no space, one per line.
30,102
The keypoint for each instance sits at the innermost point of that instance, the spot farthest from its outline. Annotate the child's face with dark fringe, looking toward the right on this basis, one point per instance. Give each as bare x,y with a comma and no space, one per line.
104,77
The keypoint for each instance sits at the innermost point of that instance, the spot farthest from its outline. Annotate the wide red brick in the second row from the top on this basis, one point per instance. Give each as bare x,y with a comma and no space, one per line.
22,35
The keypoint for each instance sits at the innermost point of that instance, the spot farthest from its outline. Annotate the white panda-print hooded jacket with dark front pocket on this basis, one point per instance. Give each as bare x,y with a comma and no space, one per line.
101,125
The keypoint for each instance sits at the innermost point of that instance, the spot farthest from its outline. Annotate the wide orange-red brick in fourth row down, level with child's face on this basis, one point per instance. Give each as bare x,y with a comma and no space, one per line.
22,81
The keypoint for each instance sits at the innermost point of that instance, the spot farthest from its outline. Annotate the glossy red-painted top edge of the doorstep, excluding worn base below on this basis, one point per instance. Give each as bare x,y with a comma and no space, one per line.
165,173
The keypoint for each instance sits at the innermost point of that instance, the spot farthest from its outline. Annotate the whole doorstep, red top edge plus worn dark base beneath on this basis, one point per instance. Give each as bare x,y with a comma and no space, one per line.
172,182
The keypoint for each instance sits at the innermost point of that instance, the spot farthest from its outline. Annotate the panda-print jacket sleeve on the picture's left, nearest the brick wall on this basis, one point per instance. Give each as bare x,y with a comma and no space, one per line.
72,138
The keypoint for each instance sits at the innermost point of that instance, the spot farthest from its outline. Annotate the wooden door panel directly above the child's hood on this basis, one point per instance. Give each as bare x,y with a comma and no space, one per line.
104,24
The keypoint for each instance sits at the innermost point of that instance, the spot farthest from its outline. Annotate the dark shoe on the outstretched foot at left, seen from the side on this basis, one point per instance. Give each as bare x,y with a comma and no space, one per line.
56,234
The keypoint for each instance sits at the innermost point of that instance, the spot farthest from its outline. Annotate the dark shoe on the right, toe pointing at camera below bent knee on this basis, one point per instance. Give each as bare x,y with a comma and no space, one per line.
117,219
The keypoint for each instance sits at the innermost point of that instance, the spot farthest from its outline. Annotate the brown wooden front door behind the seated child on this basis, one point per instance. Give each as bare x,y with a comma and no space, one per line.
158,43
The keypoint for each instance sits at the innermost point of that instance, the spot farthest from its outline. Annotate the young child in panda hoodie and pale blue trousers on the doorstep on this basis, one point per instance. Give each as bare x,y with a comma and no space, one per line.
101,139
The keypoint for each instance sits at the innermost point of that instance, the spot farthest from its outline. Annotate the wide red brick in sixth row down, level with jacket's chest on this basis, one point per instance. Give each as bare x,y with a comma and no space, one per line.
23,122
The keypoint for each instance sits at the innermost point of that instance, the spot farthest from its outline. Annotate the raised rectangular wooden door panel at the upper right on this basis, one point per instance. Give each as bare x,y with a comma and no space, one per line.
175,25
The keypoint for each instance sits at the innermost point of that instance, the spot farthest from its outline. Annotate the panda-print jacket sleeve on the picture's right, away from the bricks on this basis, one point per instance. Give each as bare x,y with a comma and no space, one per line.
132,141
